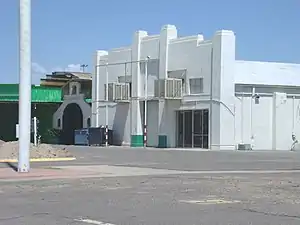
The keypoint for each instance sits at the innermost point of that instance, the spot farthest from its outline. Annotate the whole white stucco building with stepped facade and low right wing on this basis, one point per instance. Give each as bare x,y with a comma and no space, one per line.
198,94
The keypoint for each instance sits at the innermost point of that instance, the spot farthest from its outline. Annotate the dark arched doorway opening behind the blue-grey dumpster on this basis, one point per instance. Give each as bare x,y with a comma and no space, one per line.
72,120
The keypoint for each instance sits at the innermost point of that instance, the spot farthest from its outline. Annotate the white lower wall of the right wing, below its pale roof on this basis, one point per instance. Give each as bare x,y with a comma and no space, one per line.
270,124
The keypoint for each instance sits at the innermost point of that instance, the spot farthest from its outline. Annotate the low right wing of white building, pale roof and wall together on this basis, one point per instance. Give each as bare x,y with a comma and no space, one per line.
270,124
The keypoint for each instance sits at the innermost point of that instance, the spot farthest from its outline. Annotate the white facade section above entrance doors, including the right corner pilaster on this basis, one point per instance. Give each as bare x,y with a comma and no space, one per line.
214,61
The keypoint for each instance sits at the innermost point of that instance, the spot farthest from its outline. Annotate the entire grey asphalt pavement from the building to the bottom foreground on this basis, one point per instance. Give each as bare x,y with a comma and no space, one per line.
214,198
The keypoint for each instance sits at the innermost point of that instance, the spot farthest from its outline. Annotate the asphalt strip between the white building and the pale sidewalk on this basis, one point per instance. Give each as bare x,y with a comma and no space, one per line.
185,160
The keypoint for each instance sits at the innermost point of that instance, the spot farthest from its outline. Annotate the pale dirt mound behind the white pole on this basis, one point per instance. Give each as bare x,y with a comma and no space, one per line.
10,150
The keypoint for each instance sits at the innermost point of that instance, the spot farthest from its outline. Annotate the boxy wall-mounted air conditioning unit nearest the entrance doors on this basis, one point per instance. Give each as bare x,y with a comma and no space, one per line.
170,88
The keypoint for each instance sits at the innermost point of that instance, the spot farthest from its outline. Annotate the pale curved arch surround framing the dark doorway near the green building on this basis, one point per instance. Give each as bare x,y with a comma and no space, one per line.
79,100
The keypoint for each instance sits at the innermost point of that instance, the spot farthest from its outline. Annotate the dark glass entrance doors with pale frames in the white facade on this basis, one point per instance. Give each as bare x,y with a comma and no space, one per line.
192,128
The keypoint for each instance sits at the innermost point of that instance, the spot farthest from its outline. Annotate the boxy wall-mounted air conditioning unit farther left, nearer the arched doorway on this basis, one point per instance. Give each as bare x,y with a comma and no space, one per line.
118,92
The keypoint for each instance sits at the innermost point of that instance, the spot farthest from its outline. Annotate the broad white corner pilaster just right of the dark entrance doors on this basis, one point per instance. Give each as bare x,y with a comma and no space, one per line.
223,89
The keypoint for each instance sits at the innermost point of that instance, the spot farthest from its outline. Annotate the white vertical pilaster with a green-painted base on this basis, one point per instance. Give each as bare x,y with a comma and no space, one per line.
137,137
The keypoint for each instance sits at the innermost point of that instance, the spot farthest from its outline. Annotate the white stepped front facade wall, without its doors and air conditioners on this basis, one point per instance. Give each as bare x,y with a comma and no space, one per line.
212,60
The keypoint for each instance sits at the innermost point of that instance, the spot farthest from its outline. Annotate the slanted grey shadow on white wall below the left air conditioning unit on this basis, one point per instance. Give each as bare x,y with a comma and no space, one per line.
119,124
